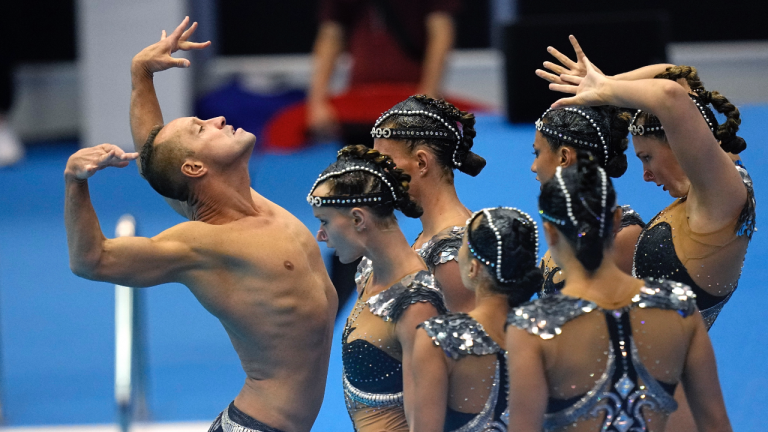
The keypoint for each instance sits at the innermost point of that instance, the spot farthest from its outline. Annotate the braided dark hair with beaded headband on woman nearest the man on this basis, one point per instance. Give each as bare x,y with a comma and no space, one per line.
361,182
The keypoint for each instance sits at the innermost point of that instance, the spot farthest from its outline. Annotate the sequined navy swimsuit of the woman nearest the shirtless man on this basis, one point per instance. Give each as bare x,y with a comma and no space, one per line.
372,371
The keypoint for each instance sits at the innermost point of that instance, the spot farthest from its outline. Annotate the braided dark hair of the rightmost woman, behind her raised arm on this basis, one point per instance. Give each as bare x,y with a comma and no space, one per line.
726,132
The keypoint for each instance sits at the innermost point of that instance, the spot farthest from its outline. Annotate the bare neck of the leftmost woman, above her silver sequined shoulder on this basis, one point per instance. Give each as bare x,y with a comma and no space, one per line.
392,258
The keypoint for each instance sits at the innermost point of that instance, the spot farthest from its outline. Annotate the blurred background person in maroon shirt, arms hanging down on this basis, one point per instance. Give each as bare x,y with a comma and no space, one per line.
401,42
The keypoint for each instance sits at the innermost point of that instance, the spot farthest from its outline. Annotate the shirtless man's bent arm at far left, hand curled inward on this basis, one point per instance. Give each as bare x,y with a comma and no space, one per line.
130,261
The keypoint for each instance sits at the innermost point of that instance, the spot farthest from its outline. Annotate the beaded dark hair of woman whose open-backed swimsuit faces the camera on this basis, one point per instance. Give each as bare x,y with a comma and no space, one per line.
580,202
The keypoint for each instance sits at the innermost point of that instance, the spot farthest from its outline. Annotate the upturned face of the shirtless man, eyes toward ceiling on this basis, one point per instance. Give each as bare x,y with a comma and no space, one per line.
213,141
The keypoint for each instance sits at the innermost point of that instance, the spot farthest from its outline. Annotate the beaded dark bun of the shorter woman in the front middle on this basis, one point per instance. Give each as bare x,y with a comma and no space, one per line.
519,247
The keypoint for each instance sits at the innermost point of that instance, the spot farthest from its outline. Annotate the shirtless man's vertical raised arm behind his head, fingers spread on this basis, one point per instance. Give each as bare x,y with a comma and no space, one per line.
145,110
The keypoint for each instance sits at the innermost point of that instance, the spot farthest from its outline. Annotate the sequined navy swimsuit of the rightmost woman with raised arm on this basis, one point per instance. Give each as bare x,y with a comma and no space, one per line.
658,254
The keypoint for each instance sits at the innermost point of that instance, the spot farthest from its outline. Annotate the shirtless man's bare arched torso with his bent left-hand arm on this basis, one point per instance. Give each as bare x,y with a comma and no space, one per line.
261,275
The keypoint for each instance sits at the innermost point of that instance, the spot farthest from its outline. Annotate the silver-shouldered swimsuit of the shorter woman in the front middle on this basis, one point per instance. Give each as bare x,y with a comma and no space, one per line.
460,336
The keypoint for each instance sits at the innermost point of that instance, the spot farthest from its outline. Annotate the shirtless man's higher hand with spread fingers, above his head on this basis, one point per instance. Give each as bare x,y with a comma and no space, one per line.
157,57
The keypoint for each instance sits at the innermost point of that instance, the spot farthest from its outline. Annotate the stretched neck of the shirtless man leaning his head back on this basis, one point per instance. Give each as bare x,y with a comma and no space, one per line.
219,203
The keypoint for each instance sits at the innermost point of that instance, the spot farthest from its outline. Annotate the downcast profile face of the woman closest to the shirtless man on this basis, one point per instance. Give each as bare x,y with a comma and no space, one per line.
337,229
